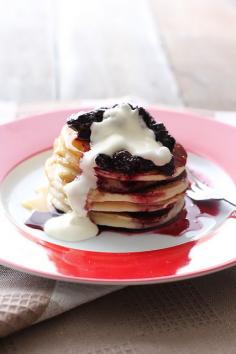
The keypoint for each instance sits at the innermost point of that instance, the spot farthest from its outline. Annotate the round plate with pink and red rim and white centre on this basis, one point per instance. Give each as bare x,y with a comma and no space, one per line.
115,258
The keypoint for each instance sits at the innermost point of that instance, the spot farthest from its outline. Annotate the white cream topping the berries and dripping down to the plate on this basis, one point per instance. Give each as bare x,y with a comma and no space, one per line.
122,128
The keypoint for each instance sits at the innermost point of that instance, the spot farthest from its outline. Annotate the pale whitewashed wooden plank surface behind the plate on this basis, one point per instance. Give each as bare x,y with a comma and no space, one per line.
163,51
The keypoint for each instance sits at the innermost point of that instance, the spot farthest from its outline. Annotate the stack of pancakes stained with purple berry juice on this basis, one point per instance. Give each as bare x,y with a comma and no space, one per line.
138,201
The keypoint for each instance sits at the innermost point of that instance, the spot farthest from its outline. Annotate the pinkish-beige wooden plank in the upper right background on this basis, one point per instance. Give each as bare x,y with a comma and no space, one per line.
200,39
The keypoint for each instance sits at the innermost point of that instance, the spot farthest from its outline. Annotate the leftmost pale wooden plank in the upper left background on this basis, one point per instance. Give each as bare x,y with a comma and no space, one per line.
26,51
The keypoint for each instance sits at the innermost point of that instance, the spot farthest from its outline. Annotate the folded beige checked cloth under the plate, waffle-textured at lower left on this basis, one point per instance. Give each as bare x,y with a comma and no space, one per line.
26,299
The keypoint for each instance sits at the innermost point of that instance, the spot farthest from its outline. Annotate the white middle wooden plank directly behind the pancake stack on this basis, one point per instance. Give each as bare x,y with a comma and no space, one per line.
110,48
